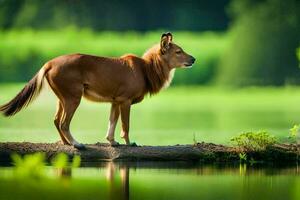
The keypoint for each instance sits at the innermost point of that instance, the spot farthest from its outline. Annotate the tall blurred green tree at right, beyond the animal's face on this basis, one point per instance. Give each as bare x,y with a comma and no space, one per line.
265,35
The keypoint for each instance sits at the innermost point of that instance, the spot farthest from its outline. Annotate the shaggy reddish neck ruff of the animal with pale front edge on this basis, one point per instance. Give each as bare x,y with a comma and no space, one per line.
157,71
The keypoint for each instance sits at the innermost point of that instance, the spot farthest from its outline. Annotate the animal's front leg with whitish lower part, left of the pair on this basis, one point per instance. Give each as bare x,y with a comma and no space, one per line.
113,119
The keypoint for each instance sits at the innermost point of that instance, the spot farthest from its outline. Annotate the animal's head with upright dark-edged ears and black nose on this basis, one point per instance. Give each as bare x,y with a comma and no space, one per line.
173,54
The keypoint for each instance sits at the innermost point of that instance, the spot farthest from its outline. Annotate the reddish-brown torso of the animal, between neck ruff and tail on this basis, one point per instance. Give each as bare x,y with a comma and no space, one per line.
102,78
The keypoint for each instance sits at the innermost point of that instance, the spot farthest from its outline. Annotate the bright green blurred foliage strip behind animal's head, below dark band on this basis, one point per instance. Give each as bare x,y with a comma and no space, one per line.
23,52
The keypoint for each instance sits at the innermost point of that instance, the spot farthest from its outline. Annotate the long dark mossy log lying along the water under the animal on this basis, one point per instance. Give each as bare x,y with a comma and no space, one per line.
205,152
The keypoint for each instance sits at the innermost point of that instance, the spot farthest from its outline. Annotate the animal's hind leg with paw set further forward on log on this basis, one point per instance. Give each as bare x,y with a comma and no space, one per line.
69,107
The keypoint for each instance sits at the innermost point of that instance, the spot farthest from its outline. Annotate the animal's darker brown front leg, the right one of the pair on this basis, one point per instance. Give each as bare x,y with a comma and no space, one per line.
125,114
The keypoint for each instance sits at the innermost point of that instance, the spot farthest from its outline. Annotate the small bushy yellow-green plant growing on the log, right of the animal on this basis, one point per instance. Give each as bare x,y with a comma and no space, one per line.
254,141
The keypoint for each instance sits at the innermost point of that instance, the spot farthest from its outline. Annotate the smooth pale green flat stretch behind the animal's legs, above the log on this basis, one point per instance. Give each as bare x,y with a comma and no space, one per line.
172,117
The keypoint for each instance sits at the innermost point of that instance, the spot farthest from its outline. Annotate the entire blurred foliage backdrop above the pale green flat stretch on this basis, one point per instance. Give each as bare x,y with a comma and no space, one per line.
258,49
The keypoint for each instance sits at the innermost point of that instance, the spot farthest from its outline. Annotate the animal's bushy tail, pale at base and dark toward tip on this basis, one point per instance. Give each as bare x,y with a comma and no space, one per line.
25,96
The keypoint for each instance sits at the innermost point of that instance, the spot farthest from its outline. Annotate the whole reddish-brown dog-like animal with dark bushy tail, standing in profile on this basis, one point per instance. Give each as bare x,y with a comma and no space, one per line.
121,81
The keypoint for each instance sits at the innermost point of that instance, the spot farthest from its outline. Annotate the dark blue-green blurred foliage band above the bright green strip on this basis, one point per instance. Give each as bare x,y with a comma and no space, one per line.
116,15
